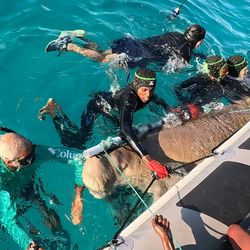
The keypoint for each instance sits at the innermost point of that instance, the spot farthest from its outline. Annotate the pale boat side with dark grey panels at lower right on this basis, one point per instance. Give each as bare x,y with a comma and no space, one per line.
202,205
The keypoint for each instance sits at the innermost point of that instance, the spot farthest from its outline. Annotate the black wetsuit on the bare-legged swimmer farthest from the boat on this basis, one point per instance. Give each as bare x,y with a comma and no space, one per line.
156,49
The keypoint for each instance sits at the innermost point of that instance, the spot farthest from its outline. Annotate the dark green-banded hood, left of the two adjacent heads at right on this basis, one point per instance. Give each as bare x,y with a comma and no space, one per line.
213,65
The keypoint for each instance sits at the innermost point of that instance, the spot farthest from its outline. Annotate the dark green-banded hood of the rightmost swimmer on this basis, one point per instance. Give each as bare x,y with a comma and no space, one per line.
235,65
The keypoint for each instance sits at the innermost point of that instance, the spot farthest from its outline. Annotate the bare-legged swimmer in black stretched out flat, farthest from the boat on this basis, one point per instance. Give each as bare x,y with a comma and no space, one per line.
138,52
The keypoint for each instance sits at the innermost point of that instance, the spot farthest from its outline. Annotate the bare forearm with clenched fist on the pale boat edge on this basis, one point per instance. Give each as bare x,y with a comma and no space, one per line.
161,227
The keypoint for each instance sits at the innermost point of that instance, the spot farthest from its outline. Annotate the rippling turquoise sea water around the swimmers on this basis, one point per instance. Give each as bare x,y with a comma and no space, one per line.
29,76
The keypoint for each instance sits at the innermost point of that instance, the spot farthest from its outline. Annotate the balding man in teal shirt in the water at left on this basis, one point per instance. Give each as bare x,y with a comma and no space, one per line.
17,166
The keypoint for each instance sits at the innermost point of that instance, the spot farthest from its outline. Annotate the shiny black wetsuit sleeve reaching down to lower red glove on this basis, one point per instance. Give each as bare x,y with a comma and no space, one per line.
126,119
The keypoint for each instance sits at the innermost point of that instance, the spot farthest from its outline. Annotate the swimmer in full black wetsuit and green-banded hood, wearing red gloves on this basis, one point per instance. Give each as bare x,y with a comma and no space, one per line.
124,103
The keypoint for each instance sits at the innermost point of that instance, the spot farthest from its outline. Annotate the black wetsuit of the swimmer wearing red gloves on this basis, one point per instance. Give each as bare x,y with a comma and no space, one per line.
124,104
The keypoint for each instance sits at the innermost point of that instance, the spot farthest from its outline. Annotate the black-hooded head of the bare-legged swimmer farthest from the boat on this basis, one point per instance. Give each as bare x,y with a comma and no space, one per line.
194,34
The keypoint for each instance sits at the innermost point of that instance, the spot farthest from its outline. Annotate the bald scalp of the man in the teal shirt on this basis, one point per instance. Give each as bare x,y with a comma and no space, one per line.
11,145
